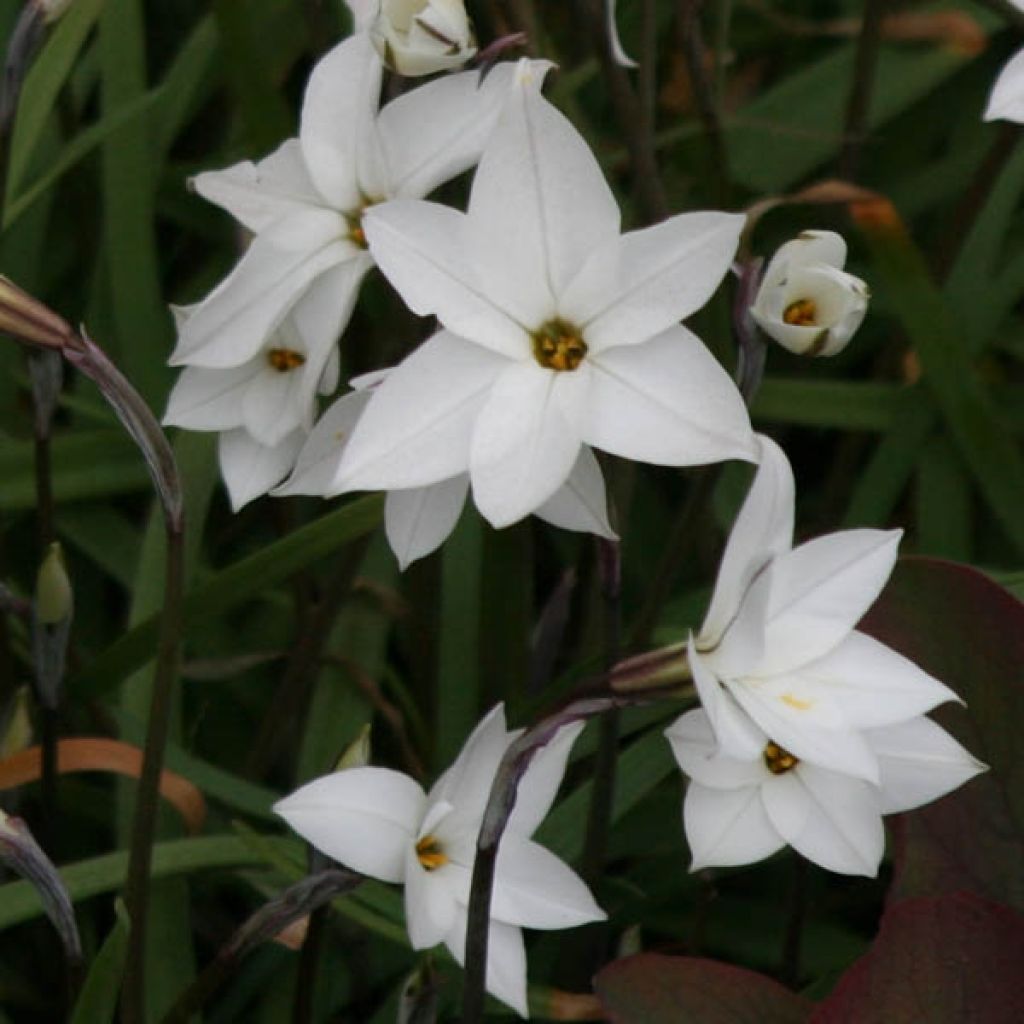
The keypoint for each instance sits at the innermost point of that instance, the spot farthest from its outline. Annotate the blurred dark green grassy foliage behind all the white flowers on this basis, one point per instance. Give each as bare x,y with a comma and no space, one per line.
301,628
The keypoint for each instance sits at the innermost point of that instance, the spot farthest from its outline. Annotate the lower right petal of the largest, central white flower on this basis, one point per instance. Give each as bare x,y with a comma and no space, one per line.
666,402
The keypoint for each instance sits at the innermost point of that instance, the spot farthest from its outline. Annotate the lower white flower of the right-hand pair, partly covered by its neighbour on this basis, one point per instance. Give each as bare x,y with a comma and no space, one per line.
742,809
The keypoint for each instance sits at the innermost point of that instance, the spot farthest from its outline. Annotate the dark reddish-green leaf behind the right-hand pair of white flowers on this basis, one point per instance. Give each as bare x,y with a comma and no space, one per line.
969,632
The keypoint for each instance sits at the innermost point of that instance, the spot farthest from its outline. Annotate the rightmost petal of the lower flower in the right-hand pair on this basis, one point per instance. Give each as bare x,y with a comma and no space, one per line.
919,762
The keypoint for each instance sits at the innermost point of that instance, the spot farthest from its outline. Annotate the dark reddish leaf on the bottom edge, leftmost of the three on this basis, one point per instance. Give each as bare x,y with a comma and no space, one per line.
651,989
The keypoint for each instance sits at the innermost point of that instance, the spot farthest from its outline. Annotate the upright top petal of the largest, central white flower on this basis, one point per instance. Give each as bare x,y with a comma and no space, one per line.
540,201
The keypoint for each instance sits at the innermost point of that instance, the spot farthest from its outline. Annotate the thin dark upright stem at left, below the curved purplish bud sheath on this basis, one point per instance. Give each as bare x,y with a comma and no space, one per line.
147,801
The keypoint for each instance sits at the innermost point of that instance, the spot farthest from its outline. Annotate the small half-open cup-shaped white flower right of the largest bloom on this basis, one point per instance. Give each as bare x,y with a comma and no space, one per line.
806,302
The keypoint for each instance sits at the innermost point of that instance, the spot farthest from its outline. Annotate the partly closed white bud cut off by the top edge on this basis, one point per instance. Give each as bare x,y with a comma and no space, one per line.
419,37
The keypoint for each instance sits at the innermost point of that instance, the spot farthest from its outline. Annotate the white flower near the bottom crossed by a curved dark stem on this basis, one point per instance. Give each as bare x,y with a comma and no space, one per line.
380,823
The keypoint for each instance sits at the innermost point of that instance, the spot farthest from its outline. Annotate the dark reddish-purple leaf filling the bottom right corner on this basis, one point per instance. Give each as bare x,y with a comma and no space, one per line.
945,961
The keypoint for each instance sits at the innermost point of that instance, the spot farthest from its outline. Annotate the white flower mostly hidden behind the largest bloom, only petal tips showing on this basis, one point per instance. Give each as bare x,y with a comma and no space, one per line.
418,521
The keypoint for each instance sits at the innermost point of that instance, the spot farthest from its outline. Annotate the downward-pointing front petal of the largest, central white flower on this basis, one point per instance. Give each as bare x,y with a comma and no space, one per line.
524,448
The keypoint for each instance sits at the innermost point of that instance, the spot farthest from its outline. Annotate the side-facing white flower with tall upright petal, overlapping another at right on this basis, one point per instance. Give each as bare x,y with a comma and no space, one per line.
779,654
